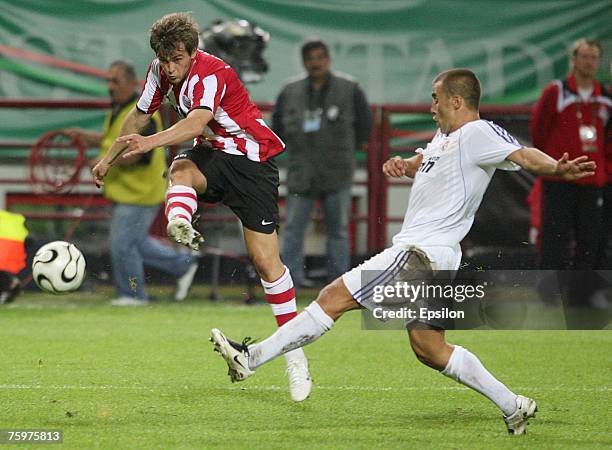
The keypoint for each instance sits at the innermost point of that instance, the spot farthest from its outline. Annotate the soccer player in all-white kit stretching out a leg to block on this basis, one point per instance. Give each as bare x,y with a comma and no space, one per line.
450,179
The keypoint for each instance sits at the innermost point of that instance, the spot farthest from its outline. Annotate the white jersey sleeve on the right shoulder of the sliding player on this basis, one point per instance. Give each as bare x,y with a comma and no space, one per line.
489,145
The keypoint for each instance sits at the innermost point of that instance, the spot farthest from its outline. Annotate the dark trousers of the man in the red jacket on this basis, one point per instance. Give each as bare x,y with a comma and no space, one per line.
572,234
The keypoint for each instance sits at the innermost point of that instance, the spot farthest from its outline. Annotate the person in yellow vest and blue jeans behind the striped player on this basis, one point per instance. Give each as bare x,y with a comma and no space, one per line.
135,188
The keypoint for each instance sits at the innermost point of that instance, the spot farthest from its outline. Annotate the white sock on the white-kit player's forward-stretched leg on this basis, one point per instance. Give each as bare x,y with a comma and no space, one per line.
307,327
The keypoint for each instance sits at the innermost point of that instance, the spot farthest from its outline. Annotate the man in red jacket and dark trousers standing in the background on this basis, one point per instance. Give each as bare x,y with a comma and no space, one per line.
571,116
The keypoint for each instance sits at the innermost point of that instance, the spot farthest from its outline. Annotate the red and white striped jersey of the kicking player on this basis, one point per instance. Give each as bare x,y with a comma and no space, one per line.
237,126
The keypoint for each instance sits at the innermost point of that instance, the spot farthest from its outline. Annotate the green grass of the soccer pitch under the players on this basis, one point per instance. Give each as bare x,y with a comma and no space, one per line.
121,378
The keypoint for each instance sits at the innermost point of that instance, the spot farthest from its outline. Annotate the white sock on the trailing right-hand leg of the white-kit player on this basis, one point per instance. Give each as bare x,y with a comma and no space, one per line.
464,367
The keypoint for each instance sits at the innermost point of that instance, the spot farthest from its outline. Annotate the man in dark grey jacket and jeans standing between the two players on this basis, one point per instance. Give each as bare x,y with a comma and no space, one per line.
322,117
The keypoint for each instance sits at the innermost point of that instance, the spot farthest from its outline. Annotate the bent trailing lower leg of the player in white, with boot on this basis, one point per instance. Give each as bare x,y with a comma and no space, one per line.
463,366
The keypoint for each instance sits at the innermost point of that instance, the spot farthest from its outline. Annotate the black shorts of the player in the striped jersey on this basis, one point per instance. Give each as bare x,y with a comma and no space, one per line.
248,188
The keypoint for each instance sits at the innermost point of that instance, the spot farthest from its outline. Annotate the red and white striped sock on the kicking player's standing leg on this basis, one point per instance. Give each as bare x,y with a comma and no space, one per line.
280,295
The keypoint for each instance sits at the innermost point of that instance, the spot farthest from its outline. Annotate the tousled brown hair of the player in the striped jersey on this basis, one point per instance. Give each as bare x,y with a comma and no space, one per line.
172,29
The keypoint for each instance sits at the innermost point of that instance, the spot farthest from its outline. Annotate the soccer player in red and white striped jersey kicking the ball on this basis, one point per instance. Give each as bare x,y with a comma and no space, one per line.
231,161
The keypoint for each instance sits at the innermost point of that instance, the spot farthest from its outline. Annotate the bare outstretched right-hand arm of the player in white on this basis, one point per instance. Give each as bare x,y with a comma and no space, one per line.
539,163
